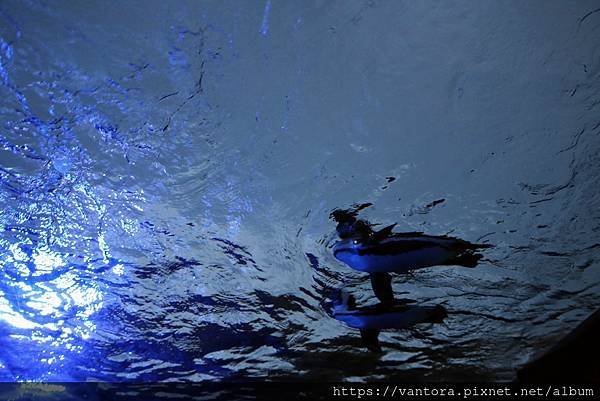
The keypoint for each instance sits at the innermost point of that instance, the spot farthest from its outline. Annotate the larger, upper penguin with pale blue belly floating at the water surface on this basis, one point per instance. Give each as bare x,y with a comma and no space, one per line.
381,252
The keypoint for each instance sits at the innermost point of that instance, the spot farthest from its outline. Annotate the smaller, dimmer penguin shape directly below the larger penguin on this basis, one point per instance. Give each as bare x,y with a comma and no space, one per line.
370,320
